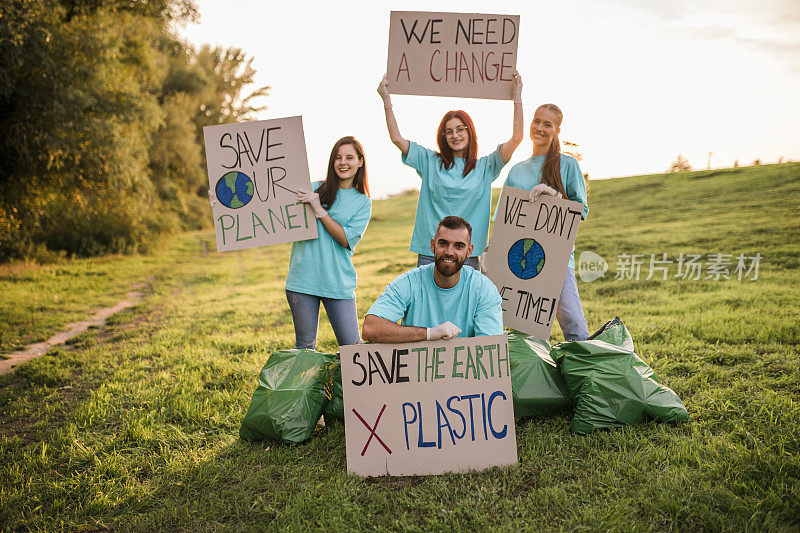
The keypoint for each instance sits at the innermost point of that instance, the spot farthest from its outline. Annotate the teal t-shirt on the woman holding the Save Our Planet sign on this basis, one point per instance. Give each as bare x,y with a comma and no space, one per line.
322,266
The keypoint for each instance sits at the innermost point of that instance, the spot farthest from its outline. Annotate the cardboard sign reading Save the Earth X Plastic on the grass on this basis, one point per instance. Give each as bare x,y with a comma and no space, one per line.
428,407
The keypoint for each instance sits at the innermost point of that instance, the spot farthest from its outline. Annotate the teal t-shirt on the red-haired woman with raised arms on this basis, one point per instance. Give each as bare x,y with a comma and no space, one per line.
447,192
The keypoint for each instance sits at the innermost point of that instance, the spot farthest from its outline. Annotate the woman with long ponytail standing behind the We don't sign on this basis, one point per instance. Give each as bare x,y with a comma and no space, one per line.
548,171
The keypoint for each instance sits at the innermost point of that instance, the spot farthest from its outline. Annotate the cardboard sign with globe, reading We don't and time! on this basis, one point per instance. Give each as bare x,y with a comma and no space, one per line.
528,257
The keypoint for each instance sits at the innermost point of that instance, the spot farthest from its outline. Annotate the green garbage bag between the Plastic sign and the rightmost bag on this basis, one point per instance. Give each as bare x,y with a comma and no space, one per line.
537,385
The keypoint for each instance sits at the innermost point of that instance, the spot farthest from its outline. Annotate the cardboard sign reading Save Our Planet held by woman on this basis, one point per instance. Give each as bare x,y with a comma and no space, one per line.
255,169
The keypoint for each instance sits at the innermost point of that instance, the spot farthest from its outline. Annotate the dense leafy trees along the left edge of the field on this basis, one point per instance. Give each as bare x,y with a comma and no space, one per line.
102,107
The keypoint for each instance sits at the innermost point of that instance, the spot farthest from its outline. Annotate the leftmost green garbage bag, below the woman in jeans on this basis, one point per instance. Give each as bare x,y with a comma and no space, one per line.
290,396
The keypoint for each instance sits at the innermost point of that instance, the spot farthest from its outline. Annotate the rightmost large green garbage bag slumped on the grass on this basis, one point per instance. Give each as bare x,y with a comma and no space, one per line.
611,385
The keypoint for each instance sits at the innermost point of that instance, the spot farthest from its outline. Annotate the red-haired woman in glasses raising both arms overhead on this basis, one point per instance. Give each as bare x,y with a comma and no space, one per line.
454,180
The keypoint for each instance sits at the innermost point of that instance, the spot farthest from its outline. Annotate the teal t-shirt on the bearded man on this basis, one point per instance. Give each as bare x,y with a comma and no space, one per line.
413,297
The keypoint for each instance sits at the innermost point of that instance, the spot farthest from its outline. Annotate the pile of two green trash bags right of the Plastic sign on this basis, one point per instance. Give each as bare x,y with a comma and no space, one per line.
602,379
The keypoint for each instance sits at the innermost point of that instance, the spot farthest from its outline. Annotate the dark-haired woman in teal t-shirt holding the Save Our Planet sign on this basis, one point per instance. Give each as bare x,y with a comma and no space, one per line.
321,269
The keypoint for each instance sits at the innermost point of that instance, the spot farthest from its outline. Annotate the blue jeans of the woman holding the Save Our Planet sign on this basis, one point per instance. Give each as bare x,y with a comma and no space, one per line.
305,314
